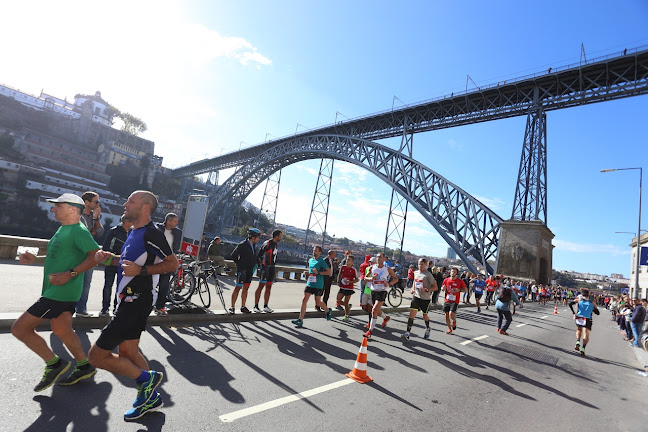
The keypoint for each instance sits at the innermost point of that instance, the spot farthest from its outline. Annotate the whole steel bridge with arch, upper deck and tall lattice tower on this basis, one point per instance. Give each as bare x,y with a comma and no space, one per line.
598,80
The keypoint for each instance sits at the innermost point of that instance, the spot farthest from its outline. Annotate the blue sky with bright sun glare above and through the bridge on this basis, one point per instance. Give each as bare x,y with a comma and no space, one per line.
208,75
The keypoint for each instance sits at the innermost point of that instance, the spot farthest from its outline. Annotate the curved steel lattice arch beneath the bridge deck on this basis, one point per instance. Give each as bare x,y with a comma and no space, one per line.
467,225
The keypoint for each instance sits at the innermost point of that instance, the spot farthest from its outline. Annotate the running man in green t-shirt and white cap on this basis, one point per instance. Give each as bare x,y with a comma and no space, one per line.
70,252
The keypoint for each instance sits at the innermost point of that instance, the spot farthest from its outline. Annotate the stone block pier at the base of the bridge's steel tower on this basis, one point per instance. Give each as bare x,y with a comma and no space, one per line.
525,250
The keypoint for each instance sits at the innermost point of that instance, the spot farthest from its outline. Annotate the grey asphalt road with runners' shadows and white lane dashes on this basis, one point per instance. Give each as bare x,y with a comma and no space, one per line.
219,375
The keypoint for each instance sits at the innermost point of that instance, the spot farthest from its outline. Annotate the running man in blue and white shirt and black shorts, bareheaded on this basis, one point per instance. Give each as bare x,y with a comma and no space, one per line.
145,255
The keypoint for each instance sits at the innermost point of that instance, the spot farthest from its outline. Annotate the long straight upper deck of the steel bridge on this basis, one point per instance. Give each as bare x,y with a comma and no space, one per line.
598,80
